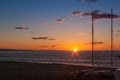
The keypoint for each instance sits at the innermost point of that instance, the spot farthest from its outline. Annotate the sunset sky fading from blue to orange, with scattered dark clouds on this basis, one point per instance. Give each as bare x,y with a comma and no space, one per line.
58,24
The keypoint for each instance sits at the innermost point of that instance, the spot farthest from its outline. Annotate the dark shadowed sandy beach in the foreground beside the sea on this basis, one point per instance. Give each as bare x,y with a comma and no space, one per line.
33,71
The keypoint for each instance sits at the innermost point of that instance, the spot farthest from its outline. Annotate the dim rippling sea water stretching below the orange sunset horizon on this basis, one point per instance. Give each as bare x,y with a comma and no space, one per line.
101,58
